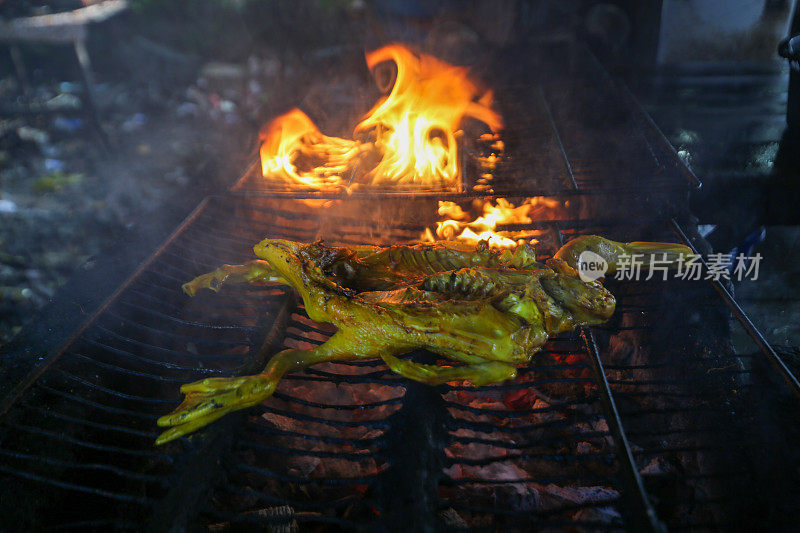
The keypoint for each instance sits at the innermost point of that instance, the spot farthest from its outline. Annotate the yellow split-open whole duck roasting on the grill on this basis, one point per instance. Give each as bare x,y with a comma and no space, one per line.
489,311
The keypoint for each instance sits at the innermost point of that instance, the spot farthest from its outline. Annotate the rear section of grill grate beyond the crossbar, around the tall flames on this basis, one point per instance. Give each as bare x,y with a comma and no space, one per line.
569,129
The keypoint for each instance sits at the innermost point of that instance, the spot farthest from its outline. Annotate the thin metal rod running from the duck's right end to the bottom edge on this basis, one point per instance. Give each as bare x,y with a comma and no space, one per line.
644,518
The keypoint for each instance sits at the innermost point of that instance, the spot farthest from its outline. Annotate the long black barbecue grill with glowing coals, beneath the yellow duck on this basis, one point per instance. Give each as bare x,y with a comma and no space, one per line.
647,422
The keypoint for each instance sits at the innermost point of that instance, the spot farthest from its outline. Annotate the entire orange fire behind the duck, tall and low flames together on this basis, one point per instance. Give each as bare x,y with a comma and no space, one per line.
410,138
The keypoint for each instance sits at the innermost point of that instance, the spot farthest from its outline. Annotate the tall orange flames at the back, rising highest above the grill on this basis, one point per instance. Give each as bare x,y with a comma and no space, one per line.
409,138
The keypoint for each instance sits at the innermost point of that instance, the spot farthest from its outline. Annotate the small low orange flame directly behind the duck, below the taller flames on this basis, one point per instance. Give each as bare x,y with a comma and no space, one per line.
461,227
